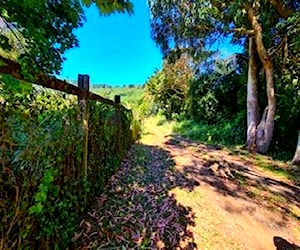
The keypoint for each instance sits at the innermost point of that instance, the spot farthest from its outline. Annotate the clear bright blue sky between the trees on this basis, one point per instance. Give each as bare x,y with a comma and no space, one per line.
114,50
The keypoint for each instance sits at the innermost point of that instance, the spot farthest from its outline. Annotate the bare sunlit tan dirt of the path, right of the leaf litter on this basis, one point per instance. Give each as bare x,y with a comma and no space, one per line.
227,215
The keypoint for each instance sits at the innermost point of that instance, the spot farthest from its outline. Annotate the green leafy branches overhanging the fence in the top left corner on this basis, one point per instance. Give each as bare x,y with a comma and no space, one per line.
44,28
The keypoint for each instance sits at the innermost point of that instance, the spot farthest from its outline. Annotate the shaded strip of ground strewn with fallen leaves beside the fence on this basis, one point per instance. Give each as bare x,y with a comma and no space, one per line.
136,210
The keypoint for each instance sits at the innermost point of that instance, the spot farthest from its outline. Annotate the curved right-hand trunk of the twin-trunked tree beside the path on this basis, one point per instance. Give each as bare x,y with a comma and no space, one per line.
264,133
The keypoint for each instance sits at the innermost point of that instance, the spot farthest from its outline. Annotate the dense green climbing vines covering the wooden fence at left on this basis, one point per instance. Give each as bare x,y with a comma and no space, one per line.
43,187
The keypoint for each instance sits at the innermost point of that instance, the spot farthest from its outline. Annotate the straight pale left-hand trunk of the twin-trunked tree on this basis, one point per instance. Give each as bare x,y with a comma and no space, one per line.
252,96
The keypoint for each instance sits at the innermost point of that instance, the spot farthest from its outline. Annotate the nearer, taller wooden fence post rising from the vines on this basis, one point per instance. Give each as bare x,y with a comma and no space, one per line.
84,84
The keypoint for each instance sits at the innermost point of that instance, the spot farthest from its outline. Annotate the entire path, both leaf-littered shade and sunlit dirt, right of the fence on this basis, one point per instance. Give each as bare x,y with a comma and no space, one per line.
172,193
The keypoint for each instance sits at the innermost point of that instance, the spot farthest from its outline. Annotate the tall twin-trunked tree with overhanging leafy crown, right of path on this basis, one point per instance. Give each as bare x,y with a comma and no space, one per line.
190,25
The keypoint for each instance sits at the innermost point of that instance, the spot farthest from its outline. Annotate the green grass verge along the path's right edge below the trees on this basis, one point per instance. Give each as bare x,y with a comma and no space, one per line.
230,137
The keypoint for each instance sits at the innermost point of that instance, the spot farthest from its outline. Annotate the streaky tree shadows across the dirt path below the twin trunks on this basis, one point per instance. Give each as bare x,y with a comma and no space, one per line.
232,175
